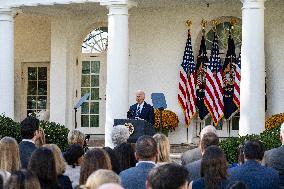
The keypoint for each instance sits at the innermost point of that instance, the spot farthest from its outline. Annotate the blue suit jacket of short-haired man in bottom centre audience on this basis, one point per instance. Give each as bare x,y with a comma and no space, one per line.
135,177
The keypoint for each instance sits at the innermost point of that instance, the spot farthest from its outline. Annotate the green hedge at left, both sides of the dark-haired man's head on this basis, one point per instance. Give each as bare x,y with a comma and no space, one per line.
54,132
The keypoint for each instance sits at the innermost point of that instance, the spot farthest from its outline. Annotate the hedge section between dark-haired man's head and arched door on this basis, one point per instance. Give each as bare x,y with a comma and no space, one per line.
55,134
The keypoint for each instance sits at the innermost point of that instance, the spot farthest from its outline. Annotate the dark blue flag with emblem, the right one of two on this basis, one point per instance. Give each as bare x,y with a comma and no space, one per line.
229,79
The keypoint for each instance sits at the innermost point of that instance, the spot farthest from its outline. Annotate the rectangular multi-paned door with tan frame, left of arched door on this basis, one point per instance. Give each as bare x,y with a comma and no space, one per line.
35,79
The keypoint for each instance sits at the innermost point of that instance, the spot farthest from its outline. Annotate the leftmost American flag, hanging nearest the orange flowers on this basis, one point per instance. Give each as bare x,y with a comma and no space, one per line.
186,93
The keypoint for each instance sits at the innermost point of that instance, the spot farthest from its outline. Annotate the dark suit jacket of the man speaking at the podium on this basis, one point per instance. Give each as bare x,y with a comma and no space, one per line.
147,112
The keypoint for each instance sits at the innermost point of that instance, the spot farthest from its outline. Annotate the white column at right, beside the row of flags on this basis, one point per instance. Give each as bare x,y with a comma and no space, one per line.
252,97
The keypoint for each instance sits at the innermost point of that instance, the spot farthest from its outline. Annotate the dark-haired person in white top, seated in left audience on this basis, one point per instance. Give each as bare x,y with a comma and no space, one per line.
74,156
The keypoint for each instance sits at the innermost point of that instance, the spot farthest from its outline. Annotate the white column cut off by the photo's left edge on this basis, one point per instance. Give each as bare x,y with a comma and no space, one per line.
7,63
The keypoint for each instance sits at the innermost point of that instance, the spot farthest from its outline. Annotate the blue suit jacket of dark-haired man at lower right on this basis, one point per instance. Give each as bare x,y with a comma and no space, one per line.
255,176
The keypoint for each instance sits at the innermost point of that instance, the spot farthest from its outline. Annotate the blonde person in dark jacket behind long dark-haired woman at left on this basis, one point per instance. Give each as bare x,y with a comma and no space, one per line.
60,166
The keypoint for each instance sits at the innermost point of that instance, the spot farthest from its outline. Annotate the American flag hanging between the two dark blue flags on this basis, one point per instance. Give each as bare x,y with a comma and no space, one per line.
214,84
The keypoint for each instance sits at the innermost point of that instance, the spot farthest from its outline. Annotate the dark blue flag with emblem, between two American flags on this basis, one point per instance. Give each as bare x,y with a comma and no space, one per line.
202,61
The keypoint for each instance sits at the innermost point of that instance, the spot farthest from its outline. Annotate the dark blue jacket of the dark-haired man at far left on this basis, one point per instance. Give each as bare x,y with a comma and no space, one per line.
26,149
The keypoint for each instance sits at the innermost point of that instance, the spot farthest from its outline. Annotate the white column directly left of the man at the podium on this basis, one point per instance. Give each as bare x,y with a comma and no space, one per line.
117,66
